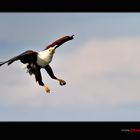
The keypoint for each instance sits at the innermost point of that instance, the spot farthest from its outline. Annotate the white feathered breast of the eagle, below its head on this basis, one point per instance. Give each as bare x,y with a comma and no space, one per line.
44,58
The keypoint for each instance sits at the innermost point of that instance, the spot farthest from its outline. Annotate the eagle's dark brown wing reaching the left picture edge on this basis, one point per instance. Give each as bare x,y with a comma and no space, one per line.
26,57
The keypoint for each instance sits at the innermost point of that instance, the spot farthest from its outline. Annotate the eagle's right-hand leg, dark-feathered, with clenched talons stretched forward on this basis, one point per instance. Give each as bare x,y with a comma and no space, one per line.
51,74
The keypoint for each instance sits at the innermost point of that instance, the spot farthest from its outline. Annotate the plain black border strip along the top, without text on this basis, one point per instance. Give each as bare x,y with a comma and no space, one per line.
69,6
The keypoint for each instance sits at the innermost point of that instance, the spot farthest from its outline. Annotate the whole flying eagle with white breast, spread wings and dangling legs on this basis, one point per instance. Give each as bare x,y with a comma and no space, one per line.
35,61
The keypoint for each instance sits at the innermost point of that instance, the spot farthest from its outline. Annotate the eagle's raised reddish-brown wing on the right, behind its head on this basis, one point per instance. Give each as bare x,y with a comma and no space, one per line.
60,41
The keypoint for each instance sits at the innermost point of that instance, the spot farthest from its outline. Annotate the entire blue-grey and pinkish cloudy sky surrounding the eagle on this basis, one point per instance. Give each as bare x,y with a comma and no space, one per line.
100,66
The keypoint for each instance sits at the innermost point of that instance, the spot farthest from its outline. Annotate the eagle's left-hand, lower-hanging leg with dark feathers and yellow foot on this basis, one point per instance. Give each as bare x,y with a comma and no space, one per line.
38,78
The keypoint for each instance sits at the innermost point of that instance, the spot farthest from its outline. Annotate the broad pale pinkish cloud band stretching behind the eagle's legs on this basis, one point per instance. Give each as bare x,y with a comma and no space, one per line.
101,72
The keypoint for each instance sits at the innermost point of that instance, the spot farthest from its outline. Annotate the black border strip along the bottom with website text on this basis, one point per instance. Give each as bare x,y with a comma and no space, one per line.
73,130
